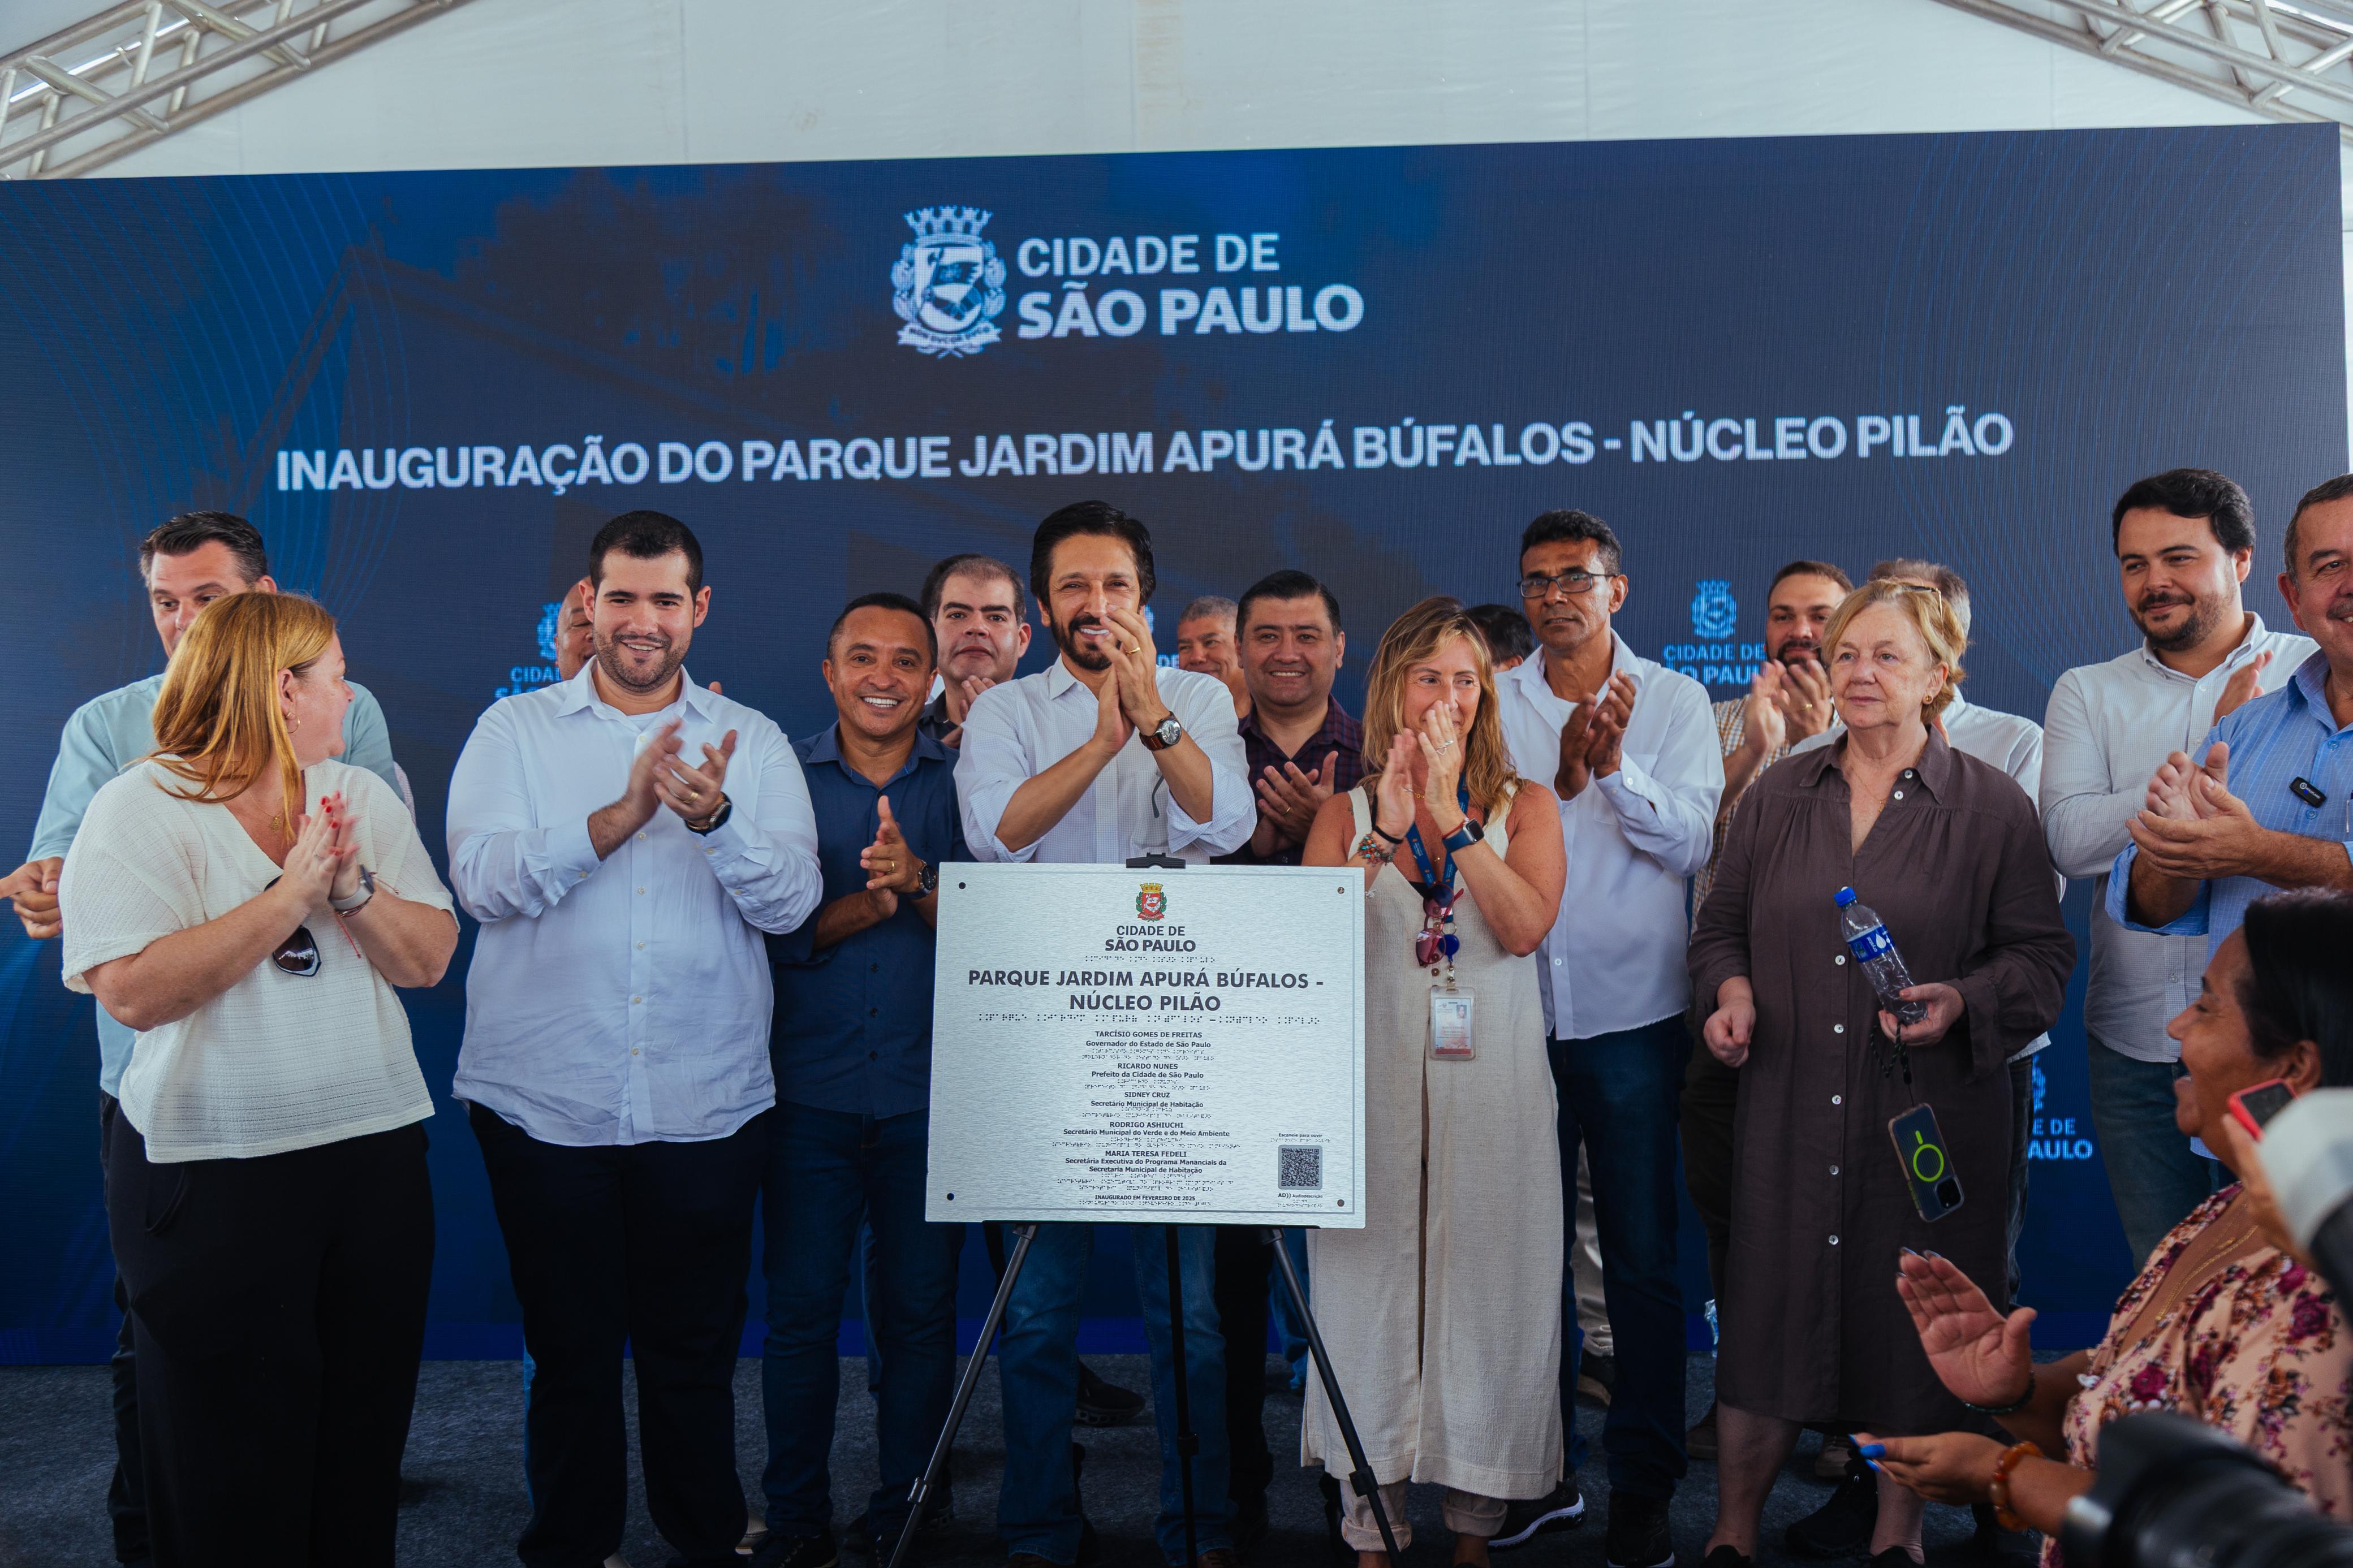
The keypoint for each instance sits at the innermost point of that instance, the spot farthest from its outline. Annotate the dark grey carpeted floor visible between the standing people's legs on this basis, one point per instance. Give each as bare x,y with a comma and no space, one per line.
465,1480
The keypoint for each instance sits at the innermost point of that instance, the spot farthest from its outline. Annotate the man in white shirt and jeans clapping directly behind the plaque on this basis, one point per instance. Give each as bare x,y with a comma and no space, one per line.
1098,758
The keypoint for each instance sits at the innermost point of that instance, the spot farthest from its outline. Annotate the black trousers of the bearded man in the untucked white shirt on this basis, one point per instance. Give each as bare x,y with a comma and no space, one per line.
641,1247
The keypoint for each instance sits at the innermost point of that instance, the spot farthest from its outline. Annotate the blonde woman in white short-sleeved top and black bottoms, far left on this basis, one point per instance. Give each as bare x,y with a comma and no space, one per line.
248,904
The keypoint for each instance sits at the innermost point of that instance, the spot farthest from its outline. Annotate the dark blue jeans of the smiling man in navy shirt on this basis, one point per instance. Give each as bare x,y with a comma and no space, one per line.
827,1174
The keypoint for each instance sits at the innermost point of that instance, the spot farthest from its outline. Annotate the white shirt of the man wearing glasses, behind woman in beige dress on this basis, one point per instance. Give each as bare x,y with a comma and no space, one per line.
1615,960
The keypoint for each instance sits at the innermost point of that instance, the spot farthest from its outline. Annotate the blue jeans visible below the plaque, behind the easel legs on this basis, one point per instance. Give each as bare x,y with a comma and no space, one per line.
1039,1369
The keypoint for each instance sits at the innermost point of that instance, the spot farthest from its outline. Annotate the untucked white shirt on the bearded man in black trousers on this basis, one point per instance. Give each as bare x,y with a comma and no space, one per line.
622,1000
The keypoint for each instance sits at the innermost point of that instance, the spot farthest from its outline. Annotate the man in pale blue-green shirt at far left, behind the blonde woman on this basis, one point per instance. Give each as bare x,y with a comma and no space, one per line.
187,565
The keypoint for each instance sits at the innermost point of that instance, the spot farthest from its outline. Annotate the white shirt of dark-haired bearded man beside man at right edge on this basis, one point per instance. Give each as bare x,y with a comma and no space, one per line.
2109,728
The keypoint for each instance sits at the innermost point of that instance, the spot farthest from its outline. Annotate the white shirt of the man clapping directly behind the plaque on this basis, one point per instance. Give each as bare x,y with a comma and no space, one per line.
1020,730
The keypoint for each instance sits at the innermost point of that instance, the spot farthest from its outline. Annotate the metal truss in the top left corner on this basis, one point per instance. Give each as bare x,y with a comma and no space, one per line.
145,69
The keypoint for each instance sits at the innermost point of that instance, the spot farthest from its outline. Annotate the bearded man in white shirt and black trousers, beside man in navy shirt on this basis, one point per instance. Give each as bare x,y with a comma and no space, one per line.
625,838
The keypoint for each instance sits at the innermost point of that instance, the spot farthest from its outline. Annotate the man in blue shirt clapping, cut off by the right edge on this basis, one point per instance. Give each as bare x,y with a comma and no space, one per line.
2272,800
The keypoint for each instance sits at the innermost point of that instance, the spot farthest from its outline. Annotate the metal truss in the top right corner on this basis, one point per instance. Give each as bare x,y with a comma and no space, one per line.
2286,60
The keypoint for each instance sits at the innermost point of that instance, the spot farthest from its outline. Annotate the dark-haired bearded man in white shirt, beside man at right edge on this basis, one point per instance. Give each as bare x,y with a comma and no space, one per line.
2185,542
